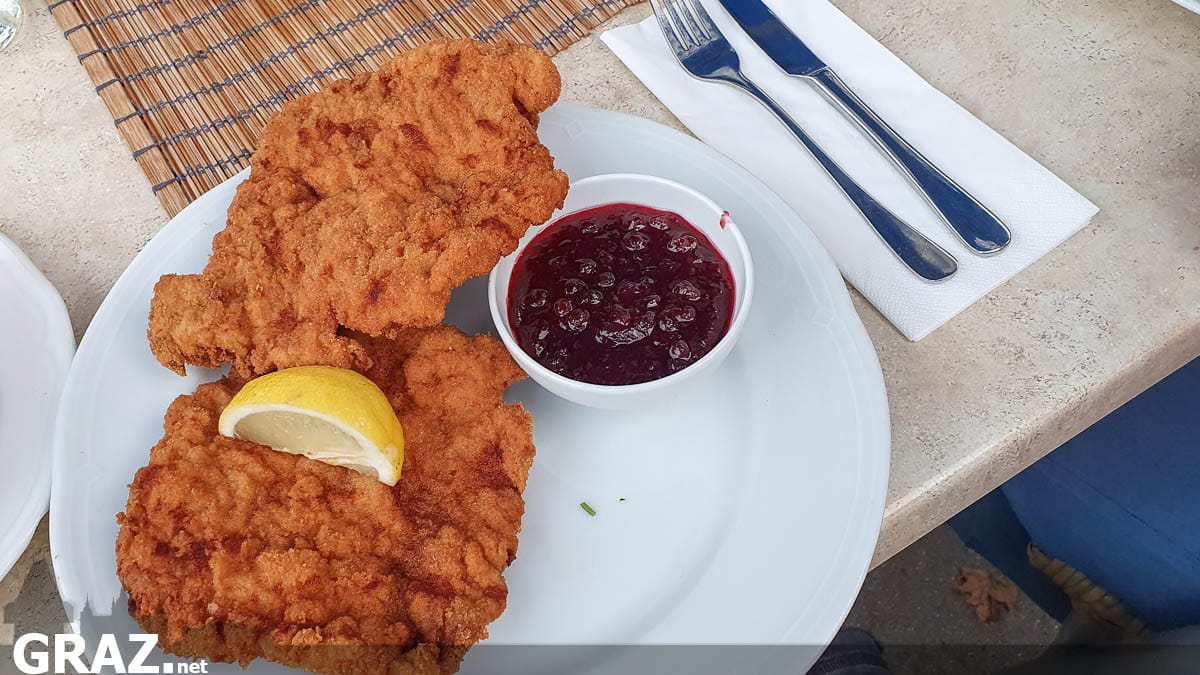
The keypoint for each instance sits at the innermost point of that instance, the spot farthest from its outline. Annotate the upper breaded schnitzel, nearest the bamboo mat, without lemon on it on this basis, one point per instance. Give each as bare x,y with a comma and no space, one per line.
367,205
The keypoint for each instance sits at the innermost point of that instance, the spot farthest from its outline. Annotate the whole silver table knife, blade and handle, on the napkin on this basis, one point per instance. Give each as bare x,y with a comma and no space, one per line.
975,224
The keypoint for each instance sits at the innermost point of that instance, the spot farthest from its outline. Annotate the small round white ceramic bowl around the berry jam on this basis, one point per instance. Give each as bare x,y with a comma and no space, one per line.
659,194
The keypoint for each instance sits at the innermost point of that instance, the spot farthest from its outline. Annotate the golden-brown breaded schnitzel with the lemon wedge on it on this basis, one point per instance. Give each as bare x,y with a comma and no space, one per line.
232,551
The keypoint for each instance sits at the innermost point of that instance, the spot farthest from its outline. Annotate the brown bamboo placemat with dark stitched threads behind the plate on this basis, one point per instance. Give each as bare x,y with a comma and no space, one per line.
190,83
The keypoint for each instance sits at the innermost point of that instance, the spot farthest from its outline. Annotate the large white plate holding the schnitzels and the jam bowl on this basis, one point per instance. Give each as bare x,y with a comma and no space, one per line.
751,509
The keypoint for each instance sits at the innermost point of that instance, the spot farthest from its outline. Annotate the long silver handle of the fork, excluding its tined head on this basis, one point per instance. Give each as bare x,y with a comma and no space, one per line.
915,250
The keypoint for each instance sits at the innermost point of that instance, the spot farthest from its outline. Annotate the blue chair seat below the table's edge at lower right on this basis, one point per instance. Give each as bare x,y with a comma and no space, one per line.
1120,503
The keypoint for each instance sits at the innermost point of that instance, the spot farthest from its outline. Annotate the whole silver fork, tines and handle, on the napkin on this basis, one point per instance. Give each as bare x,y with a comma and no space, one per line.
705,53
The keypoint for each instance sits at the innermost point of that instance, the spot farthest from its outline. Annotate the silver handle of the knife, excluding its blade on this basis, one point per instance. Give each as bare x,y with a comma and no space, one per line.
979,228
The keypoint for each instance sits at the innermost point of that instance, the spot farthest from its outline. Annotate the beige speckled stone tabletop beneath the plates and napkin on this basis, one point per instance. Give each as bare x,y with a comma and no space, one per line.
1103,93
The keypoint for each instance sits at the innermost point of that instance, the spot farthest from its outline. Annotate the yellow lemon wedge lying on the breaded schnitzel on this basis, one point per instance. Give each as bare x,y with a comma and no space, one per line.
326,414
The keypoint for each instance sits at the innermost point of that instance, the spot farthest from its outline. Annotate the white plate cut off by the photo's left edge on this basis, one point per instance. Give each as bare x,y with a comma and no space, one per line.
37,344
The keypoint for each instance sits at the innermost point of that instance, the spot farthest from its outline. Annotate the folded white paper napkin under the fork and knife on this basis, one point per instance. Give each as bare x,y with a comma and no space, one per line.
1040,208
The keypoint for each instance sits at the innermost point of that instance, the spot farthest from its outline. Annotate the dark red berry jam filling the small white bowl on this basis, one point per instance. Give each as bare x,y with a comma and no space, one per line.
620,295
